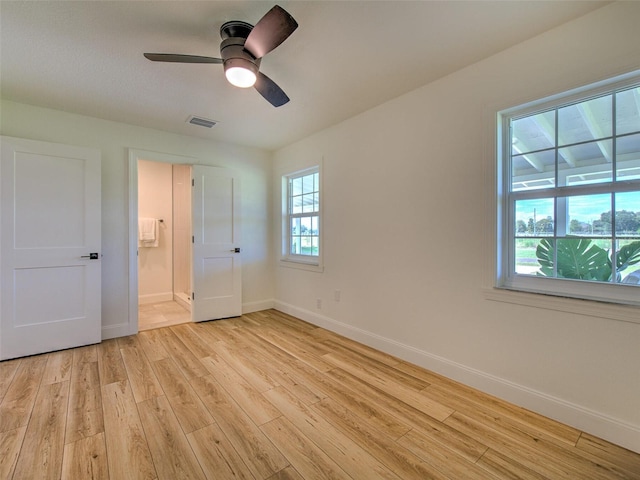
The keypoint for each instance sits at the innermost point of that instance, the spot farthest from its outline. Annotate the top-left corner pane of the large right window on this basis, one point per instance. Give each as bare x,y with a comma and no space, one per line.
536,132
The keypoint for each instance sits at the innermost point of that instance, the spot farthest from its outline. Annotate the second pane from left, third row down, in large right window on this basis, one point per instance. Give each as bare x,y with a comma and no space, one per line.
589,215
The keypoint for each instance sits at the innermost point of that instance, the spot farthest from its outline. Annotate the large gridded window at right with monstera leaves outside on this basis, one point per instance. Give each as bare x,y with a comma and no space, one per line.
570,190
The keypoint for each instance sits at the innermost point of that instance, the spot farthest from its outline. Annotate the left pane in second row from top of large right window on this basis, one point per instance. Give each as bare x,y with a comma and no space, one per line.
533,171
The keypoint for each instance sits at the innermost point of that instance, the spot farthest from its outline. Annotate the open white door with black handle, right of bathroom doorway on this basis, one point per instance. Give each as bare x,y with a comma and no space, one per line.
217,260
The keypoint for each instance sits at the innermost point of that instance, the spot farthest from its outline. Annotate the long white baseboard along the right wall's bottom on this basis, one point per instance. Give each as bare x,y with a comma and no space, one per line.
611,429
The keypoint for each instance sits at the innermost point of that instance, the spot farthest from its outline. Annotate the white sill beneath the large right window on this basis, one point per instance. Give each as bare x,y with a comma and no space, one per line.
612,311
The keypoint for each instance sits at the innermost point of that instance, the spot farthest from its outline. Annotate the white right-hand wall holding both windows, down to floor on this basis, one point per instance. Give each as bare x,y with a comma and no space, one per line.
408,232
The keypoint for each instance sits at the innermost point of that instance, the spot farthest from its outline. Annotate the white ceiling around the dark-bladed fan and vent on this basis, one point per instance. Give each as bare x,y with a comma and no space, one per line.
346,57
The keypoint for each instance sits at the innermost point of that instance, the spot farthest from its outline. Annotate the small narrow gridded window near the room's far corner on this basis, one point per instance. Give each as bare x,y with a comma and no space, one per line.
303,216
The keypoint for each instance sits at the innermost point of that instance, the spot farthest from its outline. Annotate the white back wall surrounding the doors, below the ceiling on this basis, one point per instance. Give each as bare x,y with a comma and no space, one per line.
114,141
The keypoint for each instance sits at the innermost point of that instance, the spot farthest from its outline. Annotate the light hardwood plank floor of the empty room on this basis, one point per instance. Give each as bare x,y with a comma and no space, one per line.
267,396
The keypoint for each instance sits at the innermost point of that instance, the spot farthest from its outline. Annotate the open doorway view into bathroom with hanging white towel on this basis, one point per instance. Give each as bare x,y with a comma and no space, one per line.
164,244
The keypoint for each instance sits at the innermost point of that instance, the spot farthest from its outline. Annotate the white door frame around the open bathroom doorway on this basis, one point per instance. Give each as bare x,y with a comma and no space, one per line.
134,156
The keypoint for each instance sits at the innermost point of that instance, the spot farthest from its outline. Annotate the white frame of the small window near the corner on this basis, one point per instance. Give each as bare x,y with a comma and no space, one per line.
288,258
